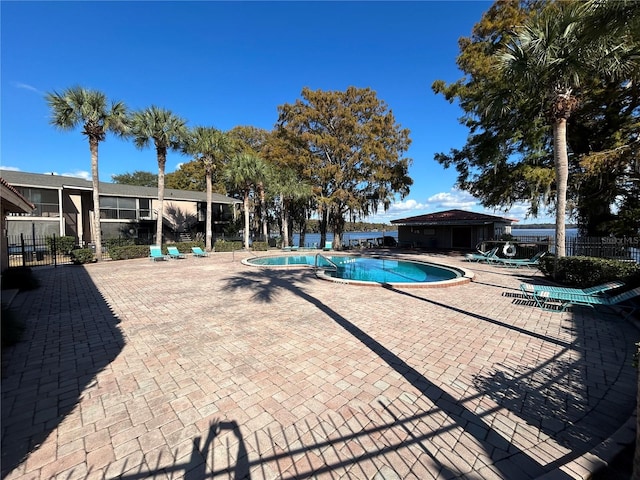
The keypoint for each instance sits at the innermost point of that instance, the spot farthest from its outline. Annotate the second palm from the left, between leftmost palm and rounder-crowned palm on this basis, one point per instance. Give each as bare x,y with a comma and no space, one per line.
168,132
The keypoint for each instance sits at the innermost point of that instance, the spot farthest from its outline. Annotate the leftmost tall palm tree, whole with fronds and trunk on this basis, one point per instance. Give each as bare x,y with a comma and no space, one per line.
79,106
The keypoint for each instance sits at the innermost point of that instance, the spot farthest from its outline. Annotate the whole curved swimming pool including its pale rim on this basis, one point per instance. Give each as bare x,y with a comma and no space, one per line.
368,270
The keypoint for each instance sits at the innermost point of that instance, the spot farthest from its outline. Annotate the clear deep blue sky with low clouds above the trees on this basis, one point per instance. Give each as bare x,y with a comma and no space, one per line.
224,64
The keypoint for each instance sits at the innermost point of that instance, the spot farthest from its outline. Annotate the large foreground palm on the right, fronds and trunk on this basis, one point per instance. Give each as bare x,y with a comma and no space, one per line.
550,59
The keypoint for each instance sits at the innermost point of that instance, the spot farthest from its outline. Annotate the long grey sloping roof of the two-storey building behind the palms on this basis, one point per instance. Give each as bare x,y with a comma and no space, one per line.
40,180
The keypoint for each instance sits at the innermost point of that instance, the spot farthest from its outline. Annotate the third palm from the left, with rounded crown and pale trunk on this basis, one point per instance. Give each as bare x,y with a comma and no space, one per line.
211,147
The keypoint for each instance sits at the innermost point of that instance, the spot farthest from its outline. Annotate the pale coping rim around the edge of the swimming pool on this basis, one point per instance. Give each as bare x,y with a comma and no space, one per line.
466,275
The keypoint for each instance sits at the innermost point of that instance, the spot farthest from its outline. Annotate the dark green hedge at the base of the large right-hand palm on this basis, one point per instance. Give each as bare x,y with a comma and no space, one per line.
583,272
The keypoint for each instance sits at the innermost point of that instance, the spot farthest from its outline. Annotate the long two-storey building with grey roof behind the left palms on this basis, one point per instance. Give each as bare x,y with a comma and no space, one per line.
64,206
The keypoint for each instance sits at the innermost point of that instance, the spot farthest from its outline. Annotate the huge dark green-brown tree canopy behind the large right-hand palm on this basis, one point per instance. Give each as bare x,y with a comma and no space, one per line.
508,156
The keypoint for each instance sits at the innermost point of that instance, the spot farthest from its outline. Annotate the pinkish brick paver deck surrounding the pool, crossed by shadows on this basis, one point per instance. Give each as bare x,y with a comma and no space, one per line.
207,368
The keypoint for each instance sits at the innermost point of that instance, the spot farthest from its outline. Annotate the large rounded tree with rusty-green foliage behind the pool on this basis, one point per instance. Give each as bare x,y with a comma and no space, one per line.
355,152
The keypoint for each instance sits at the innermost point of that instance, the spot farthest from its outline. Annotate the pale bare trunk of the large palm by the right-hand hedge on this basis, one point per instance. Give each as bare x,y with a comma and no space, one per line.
561,161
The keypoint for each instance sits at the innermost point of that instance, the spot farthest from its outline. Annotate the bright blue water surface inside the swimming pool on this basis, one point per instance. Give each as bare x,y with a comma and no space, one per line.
366,269
